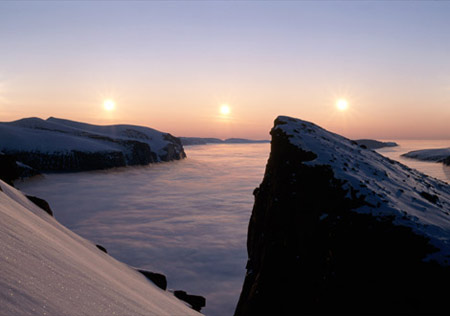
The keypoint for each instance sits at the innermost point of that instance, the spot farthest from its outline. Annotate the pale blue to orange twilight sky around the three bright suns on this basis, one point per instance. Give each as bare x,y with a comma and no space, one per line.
172,65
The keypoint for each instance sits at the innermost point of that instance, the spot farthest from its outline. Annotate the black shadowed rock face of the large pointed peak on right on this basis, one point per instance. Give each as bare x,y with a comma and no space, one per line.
311,252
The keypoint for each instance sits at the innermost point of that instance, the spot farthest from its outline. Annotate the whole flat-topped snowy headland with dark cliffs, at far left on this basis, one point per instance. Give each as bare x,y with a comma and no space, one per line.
62,145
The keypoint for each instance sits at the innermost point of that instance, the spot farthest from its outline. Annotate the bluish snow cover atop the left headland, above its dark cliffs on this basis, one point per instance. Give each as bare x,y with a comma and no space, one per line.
59,136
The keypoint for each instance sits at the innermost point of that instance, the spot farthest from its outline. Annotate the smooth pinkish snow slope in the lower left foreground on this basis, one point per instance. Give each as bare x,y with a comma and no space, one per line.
48,270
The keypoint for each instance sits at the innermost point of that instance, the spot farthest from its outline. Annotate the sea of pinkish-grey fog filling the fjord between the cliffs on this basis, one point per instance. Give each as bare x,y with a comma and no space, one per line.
187,219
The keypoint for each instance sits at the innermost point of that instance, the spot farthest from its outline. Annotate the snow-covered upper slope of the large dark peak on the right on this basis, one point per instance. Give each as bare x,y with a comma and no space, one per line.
407,195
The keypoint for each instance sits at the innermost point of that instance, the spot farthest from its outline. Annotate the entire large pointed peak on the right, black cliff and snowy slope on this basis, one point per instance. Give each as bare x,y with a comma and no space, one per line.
338,228
